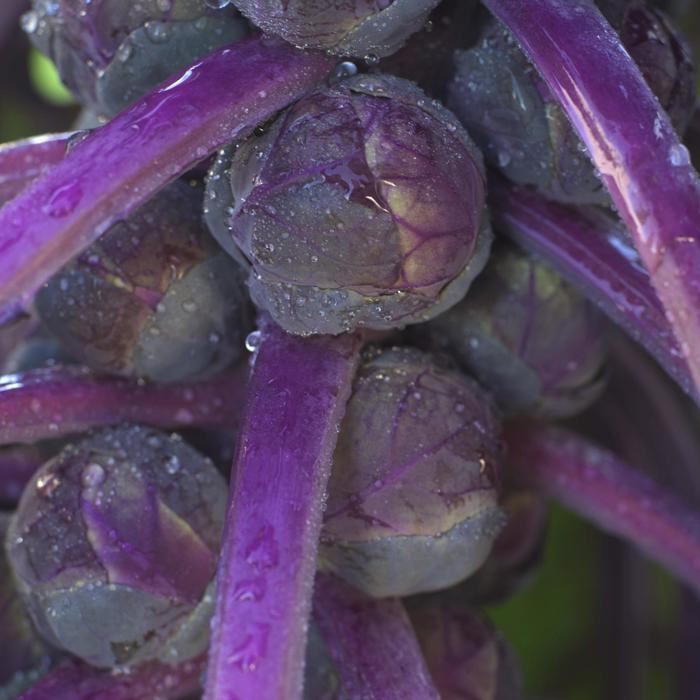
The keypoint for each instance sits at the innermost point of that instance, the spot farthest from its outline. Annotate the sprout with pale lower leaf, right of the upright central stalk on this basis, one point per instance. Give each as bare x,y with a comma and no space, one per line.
413,496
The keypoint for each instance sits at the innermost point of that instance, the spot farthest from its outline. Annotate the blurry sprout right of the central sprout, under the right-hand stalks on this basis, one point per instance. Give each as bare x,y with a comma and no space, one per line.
528,336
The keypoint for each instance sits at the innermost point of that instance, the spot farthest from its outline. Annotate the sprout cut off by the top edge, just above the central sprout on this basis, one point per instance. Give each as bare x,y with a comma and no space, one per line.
371,28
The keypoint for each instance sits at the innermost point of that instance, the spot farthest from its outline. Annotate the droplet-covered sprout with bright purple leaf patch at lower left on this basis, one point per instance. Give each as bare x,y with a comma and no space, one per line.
114,547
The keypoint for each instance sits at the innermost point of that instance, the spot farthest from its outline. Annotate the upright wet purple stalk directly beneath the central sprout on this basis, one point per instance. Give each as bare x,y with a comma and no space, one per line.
297,395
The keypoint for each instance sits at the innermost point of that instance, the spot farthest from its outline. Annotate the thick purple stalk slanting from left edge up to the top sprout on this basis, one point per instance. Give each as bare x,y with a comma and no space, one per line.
119,166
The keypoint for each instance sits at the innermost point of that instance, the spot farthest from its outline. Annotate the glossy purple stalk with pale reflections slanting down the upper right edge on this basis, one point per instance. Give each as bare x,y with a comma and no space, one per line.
631,142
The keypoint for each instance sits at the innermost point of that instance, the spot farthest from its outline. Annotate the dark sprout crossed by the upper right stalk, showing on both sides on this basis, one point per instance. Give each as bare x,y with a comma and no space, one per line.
519,125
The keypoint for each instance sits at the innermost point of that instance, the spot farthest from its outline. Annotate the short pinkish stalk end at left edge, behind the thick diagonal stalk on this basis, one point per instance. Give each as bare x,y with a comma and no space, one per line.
23,161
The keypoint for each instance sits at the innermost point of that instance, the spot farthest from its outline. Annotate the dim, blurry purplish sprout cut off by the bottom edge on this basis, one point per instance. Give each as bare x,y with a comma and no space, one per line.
466,657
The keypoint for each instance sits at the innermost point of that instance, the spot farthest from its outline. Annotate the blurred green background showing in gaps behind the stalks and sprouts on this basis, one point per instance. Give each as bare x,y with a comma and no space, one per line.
578,636
